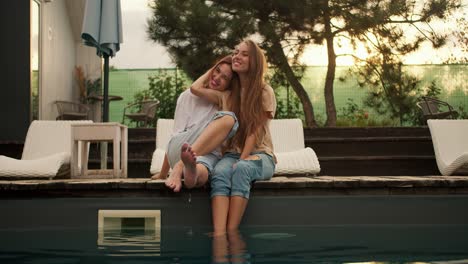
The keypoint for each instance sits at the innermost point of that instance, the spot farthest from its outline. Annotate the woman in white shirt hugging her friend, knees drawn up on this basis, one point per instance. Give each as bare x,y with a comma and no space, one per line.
200,128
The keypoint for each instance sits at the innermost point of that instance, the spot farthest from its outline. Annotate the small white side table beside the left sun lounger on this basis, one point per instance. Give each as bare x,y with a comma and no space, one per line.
99,132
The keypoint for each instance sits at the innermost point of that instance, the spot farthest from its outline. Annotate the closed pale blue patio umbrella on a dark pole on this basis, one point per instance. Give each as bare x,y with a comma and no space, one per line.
102,29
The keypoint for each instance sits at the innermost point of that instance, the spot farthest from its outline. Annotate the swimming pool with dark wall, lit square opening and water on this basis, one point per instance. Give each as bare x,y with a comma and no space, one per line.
277,229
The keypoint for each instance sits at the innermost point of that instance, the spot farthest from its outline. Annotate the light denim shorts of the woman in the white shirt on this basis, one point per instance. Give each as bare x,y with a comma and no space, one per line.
190,136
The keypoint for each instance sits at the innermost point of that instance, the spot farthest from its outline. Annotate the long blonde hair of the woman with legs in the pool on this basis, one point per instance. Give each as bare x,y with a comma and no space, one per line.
248,106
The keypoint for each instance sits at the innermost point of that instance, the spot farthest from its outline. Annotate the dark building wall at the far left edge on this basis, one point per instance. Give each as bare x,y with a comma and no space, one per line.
15,71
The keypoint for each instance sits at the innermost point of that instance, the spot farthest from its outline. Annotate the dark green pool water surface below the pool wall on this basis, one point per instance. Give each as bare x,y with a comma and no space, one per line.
273,244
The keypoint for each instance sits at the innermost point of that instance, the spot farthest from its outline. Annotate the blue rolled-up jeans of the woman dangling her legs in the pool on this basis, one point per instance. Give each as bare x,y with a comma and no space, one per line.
229,180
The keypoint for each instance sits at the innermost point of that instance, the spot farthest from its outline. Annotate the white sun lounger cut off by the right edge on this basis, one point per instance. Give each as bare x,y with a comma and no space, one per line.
450,141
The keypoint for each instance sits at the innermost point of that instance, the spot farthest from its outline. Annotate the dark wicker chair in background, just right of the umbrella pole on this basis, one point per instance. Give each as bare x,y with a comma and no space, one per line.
145,115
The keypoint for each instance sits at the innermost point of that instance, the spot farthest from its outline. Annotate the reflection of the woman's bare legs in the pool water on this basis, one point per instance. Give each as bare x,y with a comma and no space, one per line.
230,248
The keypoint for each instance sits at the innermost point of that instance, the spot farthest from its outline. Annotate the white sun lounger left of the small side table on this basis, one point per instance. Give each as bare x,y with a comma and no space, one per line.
46,152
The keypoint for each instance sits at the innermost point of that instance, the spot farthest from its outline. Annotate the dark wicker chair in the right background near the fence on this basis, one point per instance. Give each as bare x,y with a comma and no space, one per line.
433,108
